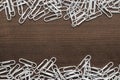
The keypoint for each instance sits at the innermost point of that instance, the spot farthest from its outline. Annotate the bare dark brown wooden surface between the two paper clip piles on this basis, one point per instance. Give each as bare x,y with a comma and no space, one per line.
39,40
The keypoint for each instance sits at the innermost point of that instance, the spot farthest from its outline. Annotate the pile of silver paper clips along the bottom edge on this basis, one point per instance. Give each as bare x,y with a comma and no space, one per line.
48,70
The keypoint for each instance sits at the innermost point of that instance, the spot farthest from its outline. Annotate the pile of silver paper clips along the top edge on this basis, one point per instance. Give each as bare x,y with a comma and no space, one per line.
78,11
